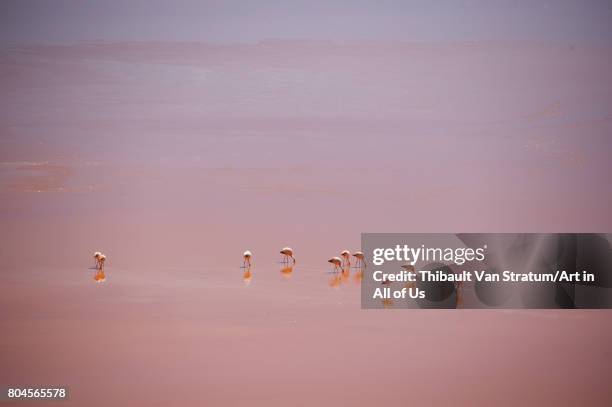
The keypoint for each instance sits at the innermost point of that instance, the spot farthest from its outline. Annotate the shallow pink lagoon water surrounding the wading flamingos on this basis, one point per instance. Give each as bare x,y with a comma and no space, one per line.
174,158
